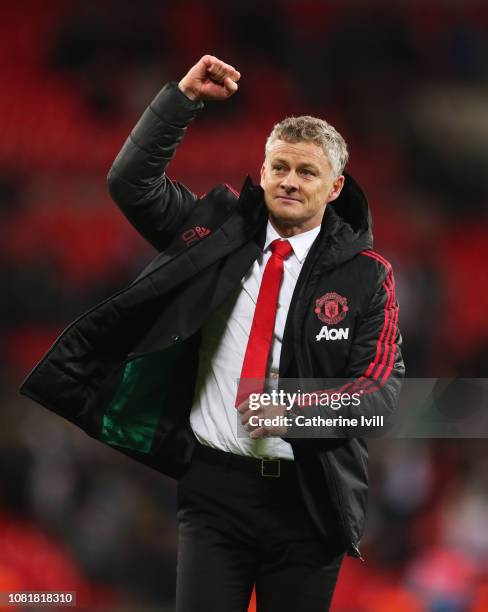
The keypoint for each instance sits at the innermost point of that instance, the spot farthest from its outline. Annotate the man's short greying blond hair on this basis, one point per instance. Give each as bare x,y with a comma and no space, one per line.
312,129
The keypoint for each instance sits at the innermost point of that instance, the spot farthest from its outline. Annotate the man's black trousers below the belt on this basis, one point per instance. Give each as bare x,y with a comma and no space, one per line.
238,528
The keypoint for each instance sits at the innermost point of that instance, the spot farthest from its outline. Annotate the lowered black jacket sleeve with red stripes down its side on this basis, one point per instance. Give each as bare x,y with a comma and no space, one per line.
374,373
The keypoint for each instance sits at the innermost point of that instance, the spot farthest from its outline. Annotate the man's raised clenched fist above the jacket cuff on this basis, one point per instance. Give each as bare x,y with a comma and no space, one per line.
210,79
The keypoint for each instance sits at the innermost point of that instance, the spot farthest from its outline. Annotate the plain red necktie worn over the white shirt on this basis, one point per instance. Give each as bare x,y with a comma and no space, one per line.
262,328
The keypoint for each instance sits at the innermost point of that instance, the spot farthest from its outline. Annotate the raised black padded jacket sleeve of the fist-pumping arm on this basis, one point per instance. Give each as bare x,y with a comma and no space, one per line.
137,181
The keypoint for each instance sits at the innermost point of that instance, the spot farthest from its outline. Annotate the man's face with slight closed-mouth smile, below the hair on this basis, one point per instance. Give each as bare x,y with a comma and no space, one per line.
298,183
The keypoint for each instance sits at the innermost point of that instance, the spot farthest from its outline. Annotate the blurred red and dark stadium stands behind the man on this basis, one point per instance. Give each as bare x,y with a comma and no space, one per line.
407,85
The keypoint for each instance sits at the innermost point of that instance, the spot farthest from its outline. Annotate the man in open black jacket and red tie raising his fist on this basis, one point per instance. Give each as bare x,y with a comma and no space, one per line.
279,283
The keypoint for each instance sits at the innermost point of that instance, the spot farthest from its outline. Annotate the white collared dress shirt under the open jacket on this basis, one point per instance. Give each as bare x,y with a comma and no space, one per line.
214,418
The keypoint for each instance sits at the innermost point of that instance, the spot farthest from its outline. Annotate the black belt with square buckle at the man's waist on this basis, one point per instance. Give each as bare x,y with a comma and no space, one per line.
266,467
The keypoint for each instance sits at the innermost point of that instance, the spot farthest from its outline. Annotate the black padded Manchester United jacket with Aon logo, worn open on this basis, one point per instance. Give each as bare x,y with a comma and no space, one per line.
125,370
